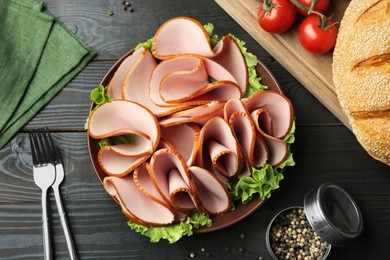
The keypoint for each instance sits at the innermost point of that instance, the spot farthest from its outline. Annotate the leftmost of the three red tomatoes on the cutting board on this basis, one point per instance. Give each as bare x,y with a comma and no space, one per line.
276,16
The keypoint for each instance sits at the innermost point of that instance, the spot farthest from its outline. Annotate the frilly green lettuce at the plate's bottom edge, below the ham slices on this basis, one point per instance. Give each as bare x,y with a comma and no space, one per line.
174,232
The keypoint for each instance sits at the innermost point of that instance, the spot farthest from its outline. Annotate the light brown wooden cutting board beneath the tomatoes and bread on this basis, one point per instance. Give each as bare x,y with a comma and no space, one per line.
313,71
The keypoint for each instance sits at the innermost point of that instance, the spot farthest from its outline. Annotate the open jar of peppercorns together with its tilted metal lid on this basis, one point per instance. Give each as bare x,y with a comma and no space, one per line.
329,217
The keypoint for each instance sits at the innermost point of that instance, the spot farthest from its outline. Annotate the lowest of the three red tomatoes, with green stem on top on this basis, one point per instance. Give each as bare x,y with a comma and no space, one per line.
314,38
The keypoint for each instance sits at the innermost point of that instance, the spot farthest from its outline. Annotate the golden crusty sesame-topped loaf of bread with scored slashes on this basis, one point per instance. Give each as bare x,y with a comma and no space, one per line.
361,74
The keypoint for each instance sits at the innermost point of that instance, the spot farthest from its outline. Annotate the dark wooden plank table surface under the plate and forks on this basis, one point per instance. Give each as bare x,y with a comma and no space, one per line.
325,151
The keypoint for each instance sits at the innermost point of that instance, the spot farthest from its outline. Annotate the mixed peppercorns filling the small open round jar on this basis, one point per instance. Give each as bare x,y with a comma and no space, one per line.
291,237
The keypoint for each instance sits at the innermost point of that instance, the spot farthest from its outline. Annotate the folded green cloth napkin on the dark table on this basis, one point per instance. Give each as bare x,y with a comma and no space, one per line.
38,58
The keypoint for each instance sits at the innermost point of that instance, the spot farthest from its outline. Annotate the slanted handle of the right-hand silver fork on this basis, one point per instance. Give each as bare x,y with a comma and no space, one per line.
65,224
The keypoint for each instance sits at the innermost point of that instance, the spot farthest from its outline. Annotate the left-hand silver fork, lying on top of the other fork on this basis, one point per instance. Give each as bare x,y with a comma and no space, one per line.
44,177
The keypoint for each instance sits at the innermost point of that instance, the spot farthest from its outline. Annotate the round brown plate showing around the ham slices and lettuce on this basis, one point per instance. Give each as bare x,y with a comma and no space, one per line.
219,221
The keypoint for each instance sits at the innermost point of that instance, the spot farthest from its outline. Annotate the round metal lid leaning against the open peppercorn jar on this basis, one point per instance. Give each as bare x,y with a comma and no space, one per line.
333,214
